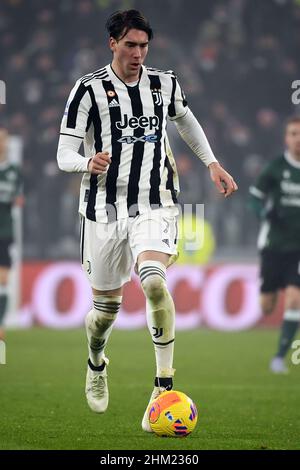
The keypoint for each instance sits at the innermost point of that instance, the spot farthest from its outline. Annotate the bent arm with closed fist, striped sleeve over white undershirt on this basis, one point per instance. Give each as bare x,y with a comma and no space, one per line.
72,132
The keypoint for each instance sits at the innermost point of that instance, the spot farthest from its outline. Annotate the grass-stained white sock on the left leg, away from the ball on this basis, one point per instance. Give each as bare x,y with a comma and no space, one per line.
99,324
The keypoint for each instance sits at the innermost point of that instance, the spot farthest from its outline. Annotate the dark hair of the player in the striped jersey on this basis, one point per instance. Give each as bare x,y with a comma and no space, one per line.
120,22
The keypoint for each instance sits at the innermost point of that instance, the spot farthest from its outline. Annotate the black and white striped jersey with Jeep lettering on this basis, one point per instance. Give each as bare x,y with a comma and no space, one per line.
130,123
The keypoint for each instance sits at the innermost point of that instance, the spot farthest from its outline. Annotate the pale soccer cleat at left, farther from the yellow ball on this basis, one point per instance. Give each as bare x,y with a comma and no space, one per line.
96,388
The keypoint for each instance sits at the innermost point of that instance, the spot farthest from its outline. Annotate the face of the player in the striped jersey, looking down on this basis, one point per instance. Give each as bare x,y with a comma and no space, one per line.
129,53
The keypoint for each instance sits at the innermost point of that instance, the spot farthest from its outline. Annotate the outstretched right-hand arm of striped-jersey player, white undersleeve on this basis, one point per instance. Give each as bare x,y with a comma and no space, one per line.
192,133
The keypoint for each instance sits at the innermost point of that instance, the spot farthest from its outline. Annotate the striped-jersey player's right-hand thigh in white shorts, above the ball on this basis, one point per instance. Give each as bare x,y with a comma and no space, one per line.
155,232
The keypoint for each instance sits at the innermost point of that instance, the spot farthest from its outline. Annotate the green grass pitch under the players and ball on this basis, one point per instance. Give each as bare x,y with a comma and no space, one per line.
240,404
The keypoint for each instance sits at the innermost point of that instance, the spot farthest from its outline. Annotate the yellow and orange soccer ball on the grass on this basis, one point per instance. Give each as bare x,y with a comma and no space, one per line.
172,414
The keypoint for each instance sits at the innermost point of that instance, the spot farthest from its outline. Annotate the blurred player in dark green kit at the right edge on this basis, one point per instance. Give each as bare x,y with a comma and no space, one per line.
275,198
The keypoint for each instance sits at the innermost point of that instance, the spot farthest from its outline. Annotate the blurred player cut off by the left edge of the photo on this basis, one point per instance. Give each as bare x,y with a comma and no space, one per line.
10,194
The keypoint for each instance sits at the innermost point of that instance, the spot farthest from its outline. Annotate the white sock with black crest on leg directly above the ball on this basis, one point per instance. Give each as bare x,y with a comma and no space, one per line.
160,315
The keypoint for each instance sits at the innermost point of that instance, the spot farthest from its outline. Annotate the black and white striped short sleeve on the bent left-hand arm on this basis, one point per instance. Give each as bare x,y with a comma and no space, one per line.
75,119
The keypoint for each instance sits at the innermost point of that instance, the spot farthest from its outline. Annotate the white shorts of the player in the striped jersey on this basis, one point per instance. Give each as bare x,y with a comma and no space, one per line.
109,250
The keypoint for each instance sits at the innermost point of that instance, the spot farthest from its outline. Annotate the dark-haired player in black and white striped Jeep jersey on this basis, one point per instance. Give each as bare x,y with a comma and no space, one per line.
129,190
